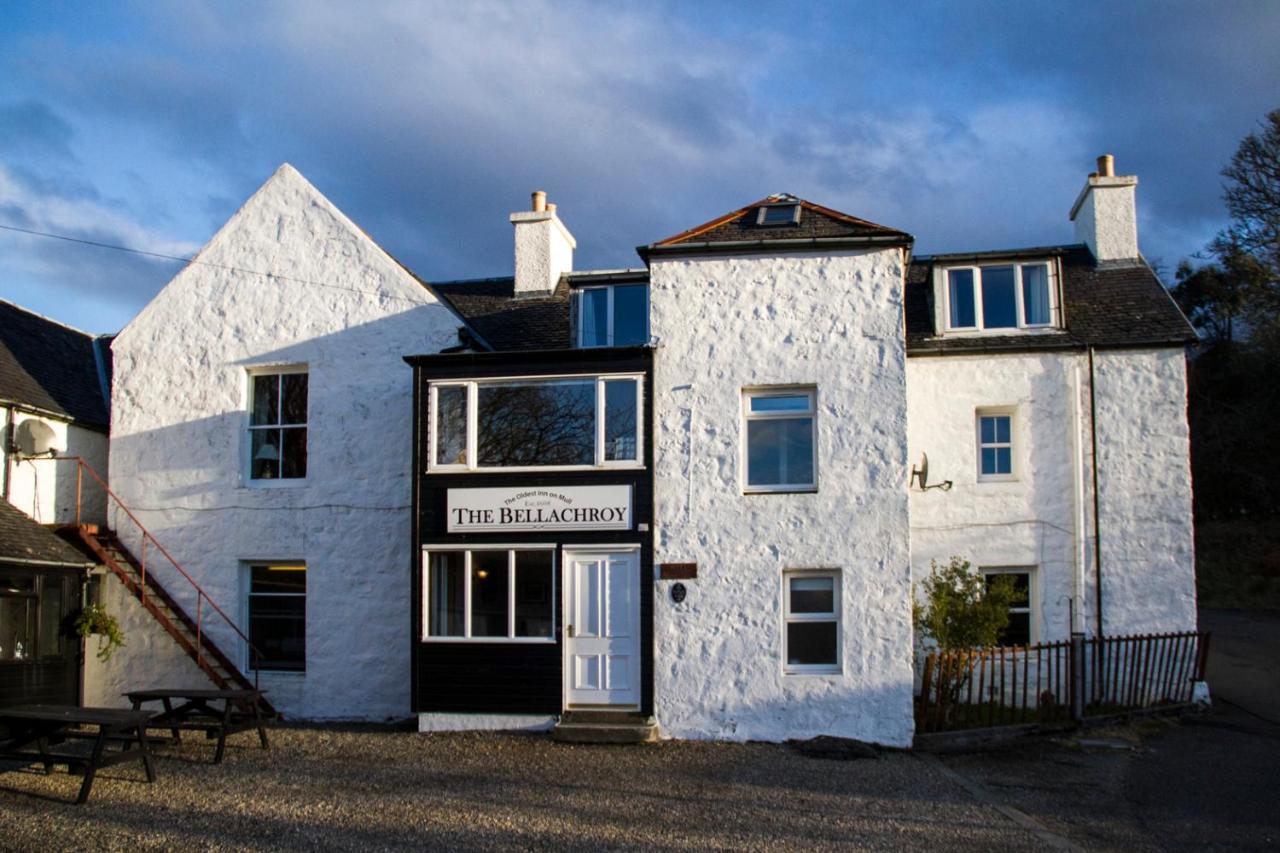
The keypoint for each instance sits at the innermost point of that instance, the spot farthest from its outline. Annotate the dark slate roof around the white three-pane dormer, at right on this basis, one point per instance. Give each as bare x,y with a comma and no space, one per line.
1107,305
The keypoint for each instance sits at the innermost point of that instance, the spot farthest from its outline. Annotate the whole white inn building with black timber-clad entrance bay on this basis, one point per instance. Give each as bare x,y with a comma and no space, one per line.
751,404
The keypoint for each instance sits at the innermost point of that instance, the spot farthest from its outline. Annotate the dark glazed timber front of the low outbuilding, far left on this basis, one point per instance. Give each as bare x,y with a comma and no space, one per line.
40,656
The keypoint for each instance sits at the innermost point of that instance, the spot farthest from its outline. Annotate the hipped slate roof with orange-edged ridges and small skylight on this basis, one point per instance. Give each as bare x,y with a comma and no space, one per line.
817,225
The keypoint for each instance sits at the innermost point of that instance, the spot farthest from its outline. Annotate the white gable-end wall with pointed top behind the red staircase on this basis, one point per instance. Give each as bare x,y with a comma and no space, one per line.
340,305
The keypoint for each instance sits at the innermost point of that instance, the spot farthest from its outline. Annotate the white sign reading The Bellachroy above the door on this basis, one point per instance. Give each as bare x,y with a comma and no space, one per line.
568,508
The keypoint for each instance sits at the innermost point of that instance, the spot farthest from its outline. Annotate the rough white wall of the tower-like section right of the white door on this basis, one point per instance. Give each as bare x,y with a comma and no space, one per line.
834,322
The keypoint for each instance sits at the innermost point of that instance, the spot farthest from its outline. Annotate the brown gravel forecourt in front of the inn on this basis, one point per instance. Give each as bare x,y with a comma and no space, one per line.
348,790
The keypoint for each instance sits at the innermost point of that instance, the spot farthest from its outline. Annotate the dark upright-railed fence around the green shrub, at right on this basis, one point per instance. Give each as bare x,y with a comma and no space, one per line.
1058,683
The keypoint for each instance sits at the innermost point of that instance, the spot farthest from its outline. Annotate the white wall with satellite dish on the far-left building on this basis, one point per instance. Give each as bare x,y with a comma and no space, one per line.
44,489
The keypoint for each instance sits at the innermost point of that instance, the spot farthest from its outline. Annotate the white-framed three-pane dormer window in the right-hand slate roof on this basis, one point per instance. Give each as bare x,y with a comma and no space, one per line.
1002,298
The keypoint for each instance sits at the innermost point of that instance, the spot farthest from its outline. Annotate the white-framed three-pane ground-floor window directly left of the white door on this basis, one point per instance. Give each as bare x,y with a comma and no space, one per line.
490,594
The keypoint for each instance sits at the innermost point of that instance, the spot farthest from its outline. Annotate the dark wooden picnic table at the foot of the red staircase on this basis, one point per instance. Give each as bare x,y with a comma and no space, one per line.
240,711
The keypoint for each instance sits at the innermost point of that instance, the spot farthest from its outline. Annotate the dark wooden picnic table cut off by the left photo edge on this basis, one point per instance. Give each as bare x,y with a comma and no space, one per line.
47,727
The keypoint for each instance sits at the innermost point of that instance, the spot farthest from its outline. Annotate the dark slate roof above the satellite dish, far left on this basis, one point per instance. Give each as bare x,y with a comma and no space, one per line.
52,367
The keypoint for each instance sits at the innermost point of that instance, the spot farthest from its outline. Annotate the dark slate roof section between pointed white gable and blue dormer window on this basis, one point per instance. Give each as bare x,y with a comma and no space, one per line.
506,322
